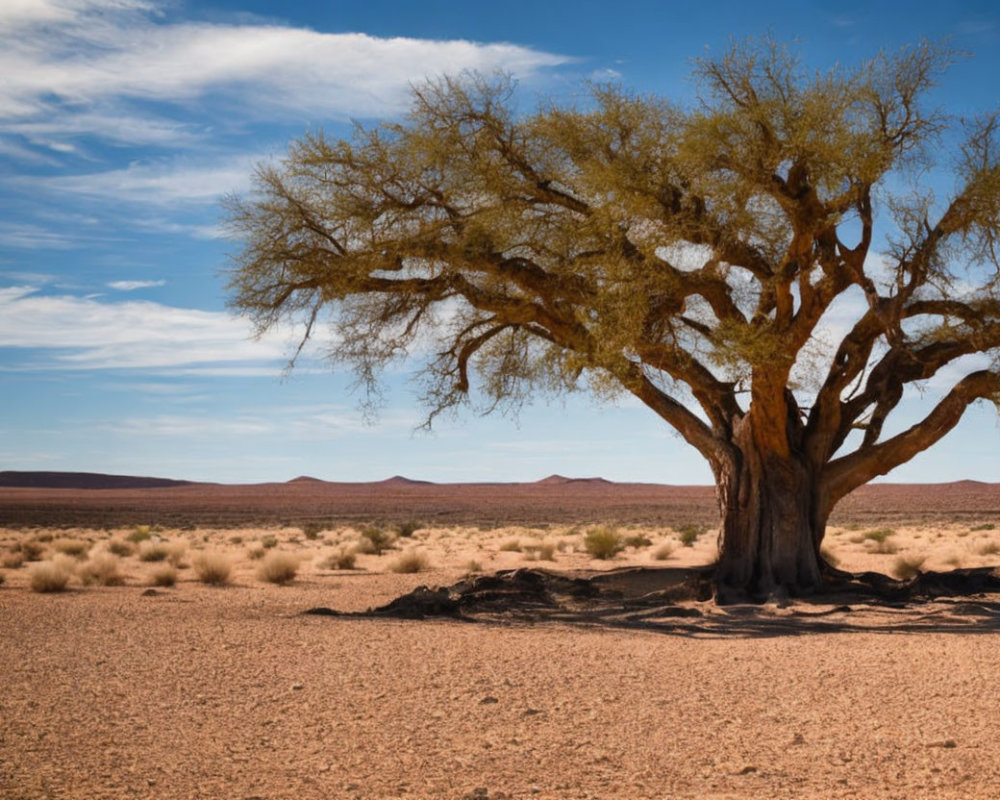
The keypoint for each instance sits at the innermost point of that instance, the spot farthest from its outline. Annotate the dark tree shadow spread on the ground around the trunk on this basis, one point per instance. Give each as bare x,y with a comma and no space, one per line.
679,602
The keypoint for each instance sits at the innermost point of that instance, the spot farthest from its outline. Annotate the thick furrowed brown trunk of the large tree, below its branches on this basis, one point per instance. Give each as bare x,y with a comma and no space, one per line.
773,519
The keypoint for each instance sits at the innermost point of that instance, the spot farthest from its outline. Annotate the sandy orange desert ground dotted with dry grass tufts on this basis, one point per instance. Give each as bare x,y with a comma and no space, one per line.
142,678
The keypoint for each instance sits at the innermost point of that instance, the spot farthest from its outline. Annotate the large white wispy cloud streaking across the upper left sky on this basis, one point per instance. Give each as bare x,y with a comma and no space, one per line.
95,66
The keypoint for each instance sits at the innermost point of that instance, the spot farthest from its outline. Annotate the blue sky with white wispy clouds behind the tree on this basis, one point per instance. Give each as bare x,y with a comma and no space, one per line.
122,123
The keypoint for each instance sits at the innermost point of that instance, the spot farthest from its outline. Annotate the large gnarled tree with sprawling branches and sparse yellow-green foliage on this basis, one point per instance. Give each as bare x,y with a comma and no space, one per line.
702,258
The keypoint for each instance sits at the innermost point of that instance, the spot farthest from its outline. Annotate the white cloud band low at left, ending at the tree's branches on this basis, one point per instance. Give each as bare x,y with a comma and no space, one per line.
71,332
